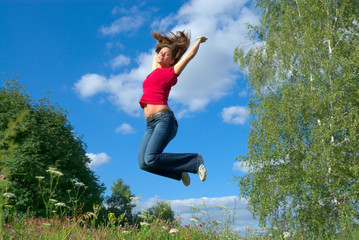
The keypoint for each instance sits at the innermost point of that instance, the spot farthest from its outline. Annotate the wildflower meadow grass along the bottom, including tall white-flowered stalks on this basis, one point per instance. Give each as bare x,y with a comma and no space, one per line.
58,225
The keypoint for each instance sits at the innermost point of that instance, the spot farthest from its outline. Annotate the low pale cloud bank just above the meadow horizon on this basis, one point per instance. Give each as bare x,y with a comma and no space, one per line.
208,207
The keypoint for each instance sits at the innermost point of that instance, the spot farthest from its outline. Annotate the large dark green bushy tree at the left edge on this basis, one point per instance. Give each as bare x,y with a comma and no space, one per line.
44,138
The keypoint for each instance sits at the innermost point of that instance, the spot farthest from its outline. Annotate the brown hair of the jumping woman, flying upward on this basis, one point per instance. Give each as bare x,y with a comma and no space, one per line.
178,43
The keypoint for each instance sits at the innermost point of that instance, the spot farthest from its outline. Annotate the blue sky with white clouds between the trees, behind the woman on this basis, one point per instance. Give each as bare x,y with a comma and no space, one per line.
92,57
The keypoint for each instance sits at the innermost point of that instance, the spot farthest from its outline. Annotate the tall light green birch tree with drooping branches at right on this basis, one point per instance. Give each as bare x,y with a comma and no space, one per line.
304,139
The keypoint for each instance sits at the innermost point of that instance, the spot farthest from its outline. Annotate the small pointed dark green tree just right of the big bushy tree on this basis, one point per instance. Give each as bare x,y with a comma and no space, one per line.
120,202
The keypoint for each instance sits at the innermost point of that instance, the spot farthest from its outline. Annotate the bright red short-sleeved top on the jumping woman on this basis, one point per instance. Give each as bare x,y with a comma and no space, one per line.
157,86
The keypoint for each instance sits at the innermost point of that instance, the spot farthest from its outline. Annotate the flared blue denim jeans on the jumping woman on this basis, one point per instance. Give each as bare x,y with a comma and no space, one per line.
151,158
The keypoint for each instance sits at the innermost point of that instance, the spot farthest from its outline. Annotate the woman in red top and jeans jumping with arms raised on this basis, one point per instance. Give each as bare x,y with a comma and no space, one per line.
161,122
